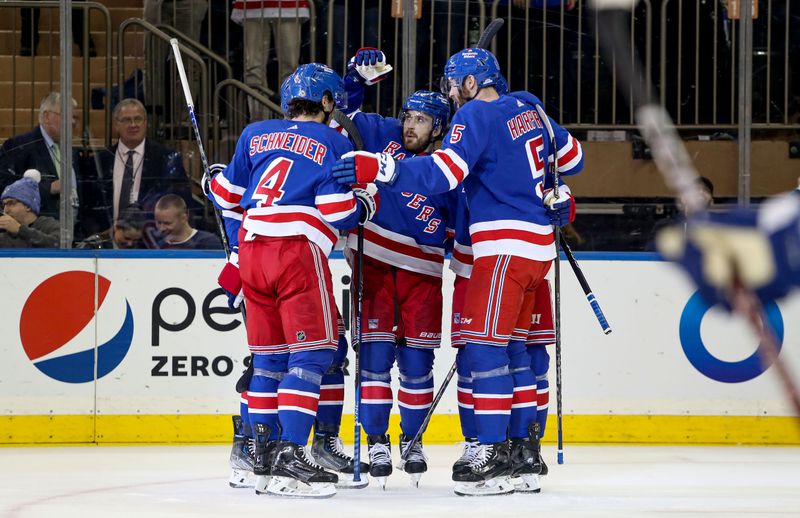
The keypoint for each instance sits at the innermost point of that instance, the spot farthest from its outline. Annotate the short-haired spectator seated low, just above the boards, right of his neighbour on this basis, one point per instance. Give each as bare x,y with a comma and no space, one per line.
172,222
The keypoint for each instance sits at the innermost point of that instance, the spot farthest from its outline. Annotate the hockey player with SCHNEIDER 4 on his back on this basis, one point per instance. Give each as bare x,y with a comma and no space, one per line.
282,210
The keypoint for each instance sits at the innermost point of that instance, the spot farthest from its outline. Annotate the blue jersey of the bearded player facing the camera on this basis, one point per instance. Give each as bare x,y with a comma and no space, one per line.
409,229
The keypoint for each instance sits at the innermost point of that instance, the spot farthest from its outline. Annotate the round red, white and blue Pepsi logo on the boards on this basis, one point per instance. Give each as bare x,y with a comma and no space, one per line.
60,326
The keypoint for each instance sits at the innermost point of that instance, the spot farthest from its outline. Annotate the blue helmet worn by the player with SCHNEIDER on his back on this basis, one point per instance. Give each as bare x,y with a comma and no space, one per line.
310,82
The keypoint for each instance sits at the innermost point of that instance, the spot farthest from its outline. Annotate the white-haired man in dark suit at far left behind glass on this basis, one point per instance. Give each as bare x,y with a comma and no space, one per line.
39,149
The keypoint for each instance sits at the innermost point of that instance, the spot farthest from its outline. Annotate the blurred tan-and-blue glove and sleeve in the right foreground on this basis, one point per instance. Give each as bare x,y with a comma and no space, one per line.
757,250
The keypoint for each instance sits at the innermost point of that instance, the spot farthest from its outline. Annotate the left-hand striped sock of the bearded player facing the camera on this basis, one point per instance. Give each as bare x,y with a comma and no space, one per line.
376,390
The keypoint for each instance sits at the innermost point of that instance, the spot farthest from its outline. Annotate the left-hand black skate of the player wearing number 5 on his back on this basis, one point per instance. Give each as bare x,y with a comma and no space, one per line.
488,473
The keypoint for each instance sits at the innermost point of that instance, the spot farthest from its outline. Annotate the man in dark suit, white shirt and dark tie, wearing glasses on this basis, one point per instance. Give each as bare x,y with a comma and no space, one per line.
136,170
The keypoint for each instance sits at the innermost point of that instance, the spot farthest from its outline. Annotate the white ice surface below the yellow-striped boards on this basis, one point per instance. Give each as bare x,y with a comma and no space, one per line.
153,481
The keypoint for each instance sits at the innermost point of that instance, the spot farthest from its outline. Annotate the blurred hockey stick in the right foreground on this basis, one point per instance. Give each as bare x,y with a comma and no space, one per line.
674,164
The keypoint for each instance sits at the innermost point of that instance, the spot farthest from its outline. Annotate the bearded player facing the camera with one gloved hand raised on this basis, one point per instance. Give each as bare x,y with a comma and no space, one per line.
404,248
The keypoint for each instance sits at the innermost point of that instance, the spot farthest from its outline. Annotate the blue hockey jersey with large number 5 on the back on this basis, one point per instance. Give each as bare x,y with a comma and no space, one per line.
500,151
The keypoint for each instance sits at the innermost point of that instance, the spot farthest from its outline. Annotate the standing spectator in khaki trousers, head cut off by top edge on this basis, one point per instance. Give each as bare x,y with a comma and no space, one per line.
279,20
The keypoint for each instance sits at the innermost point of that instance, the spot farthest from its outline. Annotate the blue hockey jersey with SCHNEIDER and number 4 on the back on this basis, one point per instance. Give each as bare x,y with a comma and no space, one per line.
280,184
